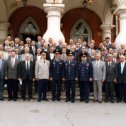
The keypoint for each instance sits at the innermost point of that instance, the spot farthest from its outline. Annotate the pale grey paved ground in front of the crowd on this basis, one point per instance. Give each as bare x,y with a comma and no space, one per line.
61,114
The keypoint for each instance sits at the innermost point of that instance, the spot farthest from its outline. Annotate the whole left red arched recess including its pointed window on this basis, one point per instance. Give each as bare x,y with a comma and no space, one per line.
25,17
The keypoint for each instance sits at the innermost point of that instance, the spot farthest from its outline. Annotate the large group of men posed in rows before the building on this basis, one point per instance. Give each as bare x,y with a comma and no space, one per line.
44,63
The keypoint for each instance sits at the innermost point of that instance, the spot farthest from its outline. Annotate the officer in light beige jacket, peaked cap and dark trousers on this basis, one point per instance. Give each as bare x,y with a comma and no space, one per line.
42,75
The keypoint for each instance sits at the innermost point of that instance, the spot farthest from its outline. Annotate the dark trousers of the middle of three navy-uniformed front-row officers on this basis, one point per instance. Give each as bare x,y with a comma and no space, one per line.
70,87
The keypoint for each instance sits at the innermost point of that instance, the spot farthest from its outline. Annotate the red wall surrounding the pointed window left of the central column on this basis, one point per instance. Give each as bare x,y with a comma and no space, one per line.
21,14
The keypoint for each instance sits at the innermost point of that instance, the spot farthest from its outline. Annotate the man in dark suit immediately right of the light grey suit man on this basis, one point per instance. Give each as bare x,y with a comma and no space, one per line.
110,78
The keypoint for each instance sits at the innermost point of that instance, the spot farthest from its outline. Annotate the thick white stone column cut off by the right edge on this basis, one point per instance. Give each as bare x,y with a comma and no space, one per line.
121,37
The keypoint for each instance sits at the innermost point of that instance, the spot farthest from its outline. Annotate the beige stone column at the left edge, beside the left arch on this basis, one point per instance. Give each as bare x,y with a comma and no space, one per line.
3,31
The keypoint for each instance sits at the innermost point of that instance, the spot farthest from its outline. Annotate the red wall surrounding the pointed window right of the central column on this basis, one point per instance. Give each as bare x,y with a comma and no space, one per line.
70,18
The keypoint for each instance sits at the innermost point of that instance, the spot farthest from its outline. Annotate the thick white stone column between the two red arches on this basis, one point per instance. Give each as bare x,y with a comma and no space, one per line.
54,11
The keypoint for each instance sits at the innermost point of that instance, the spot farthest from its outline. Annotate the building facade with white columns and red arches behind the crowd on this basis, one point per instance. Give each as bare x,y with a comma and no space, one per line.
64,19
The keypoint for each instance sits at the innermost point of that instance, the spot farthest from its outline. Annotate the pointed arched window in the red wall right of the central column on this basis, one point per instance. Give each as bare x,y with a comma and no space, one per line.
81,30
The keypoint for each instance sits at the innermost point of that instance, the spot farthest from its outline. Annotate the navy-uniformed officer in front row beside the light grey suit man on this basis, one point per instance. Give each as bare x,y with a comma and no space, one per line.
85,74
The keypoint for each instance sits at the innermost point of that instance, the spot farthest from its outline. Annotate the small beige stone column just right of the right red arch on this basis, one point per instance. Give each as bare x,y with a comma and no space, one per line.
106,30
